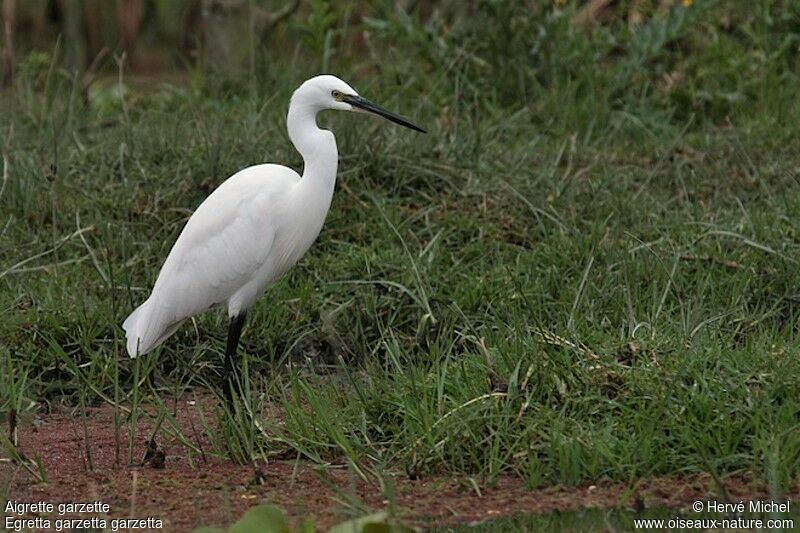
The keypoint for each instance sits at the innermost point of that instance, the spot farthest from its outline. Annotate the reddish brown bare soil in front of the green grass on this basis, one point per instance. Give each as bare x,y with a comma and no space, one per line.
186,494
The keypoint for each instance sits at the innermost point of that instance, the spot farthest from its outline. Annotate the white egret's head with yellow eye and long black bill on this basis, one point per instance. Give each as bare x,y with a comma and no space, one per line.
329,92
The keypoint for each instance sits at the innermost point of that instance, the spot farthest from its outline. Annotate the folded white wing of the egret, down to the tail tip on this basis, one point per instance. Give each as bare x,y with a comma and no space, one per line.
221,249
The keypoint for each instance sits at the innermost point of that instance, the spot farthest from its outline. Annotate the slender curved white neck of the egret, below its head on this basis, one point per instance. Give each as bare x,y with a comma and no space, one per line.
317,146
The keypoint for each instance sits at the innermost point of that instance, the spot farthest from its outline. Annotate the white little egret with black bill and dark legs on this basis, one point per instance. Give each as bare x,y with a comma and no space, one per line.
254,227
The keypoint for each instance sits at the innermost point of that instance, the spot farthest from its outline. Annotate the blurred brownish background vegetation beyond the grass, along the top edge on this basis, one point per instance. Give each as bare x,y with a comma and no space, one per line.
164,35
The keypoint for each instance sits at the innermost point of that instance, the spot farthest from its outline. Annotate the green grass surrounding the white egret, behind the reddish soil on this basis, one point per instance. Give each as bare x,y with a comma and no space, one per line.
587,269
